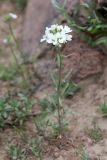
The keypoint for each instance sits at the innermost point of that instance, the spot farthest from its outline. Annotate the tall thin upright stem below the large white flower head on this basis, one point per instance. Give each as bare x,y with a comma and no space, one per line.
58,91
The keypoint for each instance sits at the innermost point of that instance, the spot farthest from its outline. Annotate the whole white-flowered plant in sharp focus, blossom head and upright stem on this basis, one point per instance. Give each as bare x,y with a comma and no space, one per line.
58,35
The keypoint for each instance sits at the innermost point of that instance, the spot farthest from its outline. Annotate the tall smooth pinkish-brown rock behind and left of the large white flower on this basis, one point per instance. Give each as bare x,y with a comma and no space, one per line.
39,14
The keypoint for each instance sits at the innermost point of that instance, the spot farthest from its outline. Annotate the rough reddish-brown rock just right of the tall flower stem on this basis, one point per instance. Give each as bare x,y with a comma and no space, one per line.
82,60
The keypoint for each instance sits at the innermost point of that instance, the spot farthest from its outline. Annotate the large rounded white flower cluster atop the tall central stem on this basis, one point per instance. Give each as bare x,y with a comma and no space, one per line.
57,35
